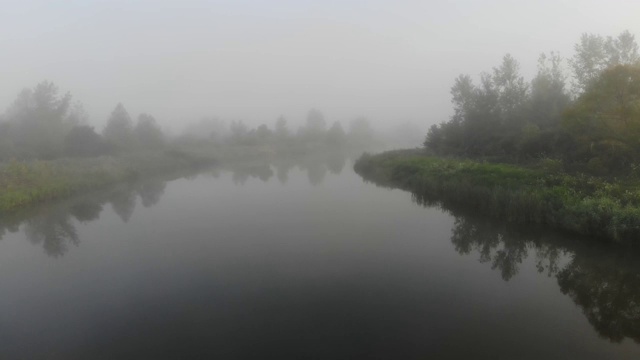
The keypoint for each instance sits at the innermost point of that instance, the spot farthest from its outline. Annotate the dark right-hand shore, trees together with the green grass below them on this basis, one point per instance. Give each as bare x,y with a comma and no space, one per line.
537,153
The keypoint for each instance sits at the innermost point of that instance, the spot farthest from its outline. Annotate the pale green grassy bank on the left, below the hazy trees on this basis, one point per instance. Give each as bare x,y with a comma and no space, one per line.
26,183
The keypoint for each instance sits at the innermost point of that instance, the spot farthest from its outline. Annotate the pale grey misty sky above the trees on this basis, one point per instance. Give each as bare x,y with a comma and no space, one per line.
254,60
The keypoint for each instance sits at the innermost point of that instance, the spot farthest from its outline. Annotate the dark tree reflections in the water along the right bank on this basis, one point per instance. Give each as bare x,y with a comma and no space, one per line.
603,280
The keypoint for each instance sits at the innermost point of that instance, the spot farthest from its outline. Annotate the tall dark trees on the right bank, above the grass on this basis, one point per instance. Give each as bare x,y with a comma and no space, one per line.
586,114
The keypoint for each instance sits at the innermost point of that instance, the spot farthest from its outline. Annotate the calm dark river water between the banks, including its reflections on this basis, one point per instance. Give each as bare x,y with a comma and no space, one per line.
304,263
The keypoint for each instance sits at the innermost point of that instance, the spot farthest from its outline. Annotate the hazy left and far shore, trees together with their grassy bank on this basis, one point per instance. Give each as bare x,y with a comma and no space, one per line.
48,150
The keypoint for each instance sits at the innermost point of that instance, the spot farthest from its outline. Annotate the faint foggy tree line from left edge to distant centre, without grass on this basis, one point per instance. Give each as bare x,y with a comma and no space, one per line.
44,124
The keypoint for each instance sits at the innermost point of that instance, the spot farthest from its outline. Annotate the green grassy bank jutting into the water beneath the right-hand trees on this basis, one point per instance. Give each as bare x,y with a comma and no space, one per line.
541,195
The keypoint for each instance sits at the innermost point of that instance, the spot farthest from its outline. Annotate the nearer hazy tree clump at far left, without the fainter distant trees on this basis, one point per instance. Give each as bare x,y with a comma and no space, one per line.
44,124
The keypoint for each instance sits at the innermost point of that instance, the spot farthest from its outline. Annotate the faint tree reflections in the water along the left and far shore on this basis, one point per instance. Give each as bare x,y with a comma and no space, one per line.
52,226
